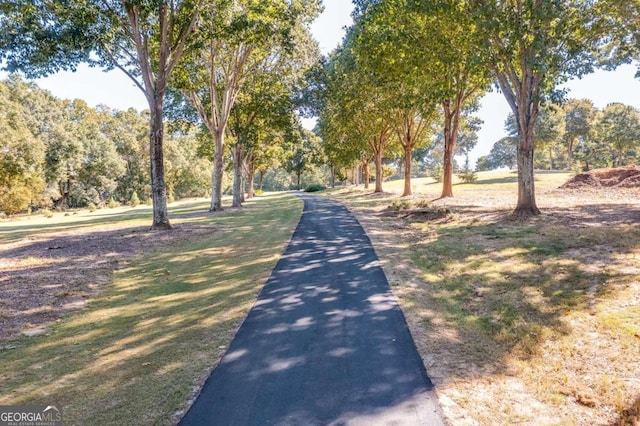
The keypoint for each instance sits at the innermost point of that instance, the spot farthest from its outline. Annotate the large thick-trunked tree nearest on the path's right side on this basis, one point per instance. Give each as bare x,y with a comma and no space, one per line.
535,45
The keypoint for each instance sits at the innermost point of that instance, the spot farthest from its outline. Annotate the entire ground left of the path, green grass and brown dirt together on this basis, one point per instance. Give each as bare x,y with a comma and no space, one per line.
154,311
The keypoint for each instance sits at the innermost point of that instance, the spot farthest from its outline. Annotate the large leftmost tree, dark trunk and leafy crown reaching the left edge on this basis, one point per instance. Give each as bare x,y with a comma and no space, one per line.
144,38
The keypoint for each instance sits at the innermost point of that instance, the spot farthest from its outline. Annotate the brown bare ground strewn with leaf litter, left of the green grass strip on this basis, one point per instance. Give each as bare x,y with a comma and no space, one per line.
46,277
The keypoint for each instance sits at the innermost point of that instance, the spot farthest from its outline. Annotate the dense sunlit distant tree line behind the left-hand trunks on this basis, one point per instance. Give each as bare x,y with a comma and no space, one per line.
63,154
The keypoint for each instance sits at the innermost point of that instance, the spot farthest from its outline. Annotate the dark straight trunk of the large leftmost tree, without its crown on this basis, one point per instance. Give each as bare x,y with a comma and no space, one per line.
158,188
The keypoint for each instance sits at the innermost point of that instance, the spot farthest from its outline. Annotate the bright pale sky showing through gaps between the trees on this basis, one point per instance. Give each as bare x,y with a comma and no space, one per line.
116,90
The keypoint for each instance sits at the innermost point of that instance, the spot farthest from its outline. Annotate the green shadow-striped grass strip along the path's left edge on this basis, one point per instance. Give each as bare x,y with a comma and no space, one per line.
139,350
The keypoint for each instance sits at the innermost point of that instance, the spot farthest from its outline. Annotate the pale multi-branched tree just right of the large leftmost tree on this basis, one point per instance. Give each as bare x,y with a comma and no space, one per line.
233,40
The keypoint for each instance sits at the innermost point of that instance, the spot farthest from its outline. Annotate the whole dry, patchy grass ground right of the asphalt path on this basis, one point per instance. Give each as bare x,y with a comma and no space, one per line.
532,322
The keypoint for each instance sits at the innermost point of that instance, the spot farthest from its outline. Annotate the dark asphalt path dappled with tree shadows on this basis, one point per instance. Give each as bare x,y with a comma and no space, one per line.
324,344
